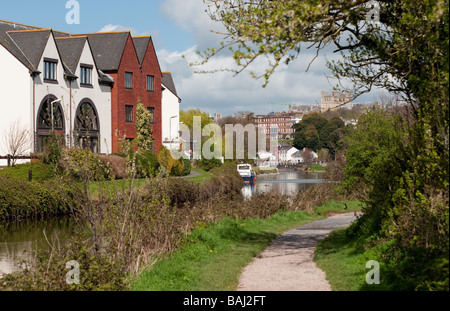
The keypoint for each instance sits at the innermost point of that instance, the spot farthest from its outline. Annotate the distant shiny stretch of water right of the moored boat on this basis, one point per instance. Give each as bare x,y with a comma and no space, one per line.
288,183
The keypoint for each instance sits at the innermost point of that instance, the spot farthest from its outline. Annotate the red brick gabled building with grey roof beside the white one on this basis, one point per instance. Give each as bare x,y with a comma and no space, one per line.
133,66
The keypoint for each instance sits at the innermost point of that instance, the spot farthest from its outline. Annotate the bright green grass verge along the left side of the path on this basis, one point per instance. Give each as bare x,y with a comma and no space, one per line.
212,257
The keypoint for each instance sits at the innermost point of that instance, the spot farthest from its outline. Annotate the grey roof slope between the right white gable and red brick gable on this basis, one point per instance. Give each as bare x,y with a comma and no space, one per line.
107,48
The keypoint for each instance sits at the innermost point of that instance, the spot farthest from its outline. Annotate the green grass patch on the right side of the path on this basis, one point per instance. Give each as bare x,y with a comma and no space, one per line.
344,260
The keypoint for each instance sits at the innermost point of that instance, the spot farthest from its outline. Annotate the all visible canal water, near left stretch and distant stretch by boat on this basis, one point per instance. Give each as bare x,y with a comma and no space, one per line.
18,240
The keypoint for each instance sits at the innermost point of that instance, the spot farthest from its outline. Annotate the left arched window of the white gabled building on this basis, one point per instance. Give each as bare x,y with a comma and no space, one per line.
48,120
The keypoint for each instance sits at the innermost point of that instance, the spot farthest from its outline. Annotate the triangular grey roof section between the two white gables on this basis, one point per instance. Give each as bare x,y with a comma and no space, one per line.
70,49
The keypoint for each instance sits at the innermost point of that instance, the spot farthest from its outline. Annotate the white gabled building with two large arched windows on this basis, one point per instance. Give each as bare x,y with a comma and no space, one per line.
51,82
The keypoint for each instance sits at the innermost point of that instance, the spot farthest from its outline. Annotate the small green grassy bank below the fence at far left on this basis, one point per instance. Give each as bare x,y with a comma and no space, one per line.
41,171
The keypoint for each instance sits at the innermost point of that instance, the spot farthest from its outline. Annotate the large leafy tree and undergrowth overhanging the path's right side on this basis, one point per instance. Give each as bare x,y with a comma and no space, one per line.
402,163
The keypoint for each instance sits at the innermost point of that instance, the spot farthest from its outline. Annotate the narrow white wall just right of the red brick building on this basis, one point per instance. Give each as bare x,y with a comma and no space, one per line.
170,108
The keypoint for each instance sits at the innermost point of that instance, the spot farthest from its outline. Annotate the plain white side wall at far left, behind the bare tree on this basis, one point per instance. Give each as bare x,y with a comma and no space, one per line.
15,96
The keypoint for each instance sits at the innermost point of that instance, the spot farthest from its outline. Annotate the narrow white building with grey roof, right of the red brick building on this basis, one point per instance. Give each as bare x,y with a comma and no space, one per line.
170,113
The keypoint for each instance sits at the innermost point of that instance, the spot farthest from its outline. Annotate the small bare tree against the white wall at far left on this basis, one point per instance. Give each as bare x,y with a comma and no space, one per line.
17,141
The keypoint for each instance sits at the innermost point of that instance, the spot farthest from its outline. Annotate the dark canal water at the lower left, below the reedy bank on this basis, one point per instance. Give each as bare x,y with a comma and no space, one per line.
19,240
